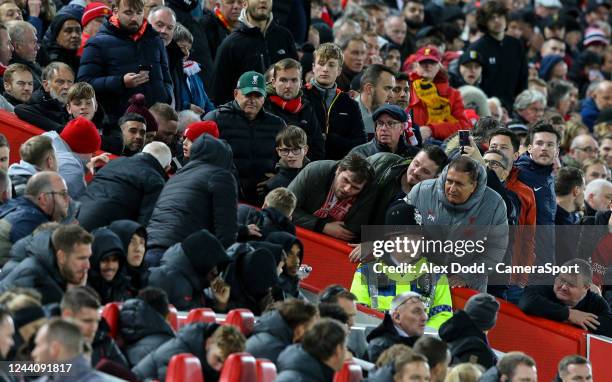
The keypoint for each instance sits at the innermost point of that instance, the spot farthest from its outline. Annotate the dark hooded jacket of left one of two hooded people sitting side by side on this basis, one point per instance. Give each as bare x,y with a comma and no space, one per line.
106,243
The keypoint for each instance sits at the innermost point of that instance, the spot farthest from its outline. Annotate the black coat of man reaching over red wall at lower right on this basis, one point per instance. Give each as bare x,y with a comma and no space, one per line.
540,300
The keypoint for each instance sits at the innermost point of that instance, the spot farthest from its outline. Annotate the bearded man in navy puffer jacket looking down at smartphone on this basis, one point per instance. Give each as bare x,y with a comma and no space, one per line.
126,57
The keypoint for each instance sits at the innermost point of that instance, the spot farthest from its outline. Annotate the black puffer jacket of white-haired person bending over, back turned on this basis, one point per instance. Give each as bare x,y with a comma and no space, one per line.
126,188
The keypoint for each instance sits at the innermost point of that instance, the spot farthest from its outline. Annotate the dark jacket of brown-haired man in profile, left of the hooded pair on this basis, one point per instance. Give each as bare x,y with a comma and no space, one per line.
39,272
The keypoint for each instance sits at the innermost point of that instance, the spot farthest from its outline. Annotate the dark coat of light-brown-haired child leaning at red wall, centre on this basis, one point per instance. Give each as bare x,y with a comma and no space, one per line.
269,220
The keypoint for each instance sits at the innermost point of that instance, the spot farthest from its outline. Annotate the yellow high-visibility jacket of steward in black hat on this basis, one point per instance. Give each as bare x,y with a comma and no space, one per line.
376,289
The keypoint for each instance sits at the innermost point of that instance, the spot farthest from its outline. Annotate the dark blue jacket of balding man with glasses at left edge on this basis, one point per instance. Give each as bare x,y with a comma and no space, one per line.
18,218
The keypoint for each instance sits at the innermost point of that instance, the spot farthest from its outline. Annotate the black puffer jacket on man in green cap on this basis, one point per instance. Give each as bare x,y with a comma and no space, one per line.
253,144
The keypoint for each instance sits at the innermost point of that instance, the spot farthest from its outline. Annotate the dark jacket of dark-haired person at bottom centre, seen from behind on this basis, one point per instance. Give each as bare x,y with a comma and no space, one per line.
296,365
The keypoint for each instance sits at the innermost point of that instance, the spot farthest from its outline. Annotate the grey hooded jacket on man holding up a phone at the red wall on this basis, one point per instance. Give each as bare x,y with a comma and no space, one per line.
484,209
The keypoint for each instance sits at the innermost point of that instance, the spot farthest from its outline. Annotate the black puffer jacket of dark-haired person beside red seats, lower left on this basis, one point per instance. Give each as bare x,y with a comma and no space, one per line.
143,329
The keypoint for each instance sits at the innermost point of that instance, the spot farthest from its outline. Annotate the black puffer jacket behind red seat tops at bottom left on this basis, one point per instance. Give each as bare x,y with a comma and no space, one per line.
190,339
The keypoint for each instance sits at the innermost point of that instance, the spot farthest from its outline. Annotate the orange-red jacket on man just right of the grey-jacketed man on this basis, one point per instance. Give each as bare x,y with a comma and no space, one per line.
524,240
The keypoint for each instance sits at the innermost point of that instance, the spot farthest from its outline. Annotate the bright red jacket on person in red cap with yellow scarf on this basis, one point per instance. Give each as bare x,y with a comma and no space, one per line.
441,130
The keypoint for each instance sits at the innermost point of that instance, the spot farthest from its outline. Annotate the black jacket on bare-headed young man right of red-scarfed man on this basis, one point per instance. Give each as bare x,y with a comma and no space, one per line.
341,123
